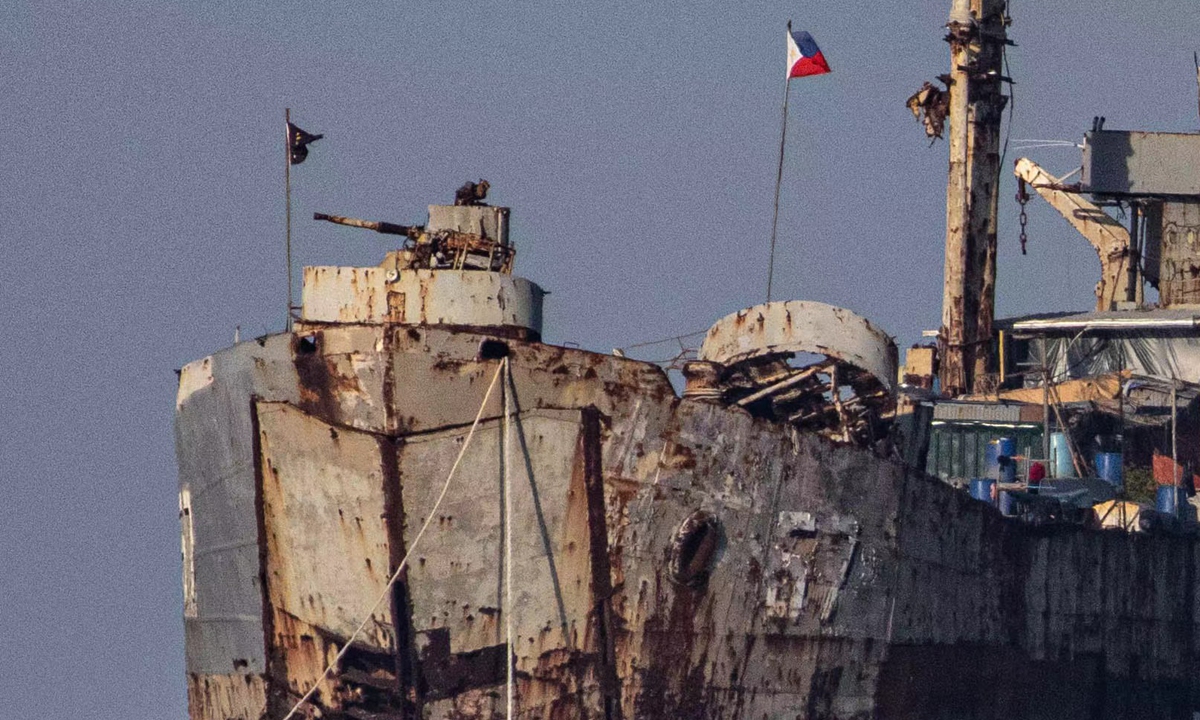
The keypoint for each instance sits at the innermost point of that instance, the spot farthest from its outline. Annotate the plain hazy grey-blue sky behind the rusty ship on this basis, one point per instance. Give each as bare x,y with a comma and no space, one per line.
142,221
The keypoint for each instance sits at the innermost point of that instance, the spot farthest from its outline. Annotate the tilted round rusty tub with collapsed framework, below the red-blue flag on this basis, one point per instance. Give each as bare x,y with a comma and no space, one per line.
814,365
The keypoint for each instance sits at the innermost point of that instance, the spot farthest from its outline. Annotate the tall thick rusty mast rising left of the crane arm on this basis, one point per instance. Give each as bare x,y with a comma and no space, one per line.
977,37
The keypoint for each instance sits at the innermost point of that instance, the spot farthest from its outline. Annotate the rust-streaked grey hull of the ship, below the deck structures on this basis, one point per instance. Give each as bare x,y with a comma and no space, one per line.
671,559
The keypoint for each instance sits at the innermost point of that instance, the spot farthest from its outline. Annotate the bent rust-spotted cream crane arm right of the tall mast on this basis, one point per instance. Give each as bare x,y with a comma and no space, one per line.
1107,236
